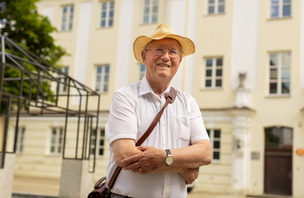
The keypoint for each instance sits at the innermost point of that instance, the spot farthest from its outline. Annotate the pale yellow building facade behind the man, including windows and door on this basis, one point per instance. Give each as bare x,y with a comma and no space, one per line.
247,75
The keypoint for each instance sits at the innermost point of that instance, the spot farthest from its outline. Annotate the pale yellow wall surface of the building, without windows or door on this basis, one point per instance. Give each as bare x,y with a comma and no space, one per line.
242,37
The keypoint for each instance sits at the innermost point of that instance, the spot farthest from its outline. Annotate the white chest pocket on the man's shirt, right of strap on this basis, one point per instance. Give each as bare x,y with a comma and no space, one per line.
182,128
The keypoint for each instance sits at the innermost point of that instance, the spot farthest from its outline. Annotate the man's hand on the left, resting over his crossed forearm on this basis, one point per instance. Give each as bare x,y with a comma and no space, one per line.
149,160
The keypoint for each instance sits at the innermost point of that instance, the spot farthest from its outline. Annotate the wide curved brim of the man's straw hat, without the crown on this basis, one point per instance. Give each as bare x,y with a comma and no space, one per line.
141,42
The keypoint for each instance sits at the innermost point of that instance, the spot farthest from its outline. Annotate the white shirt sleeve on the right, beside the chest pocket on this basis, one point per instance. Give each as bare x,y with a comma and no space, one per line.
197,127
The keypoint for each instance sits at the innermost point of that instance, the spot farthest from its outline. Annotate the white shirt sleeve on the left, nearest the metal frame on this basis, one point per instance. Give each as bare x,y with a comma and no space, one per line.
122,121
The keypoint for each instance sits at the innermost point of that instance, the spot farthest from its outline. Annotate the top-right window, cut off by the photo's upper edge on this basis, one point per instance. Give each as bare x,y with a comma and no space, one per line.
280,8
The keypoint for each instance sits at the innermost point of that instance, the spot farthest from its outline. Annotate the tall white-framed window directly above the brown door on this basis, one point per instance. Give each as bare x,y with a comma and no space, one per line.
279,73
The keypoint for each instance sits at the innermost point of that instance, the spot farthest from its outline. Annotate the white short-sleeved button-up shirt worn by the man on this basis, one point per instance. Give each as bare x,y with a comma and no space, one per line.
132,111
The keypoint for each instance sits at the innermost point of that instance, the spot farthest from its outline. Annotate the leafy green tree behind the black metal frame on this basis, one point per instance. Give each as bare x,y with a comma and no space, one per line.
22,24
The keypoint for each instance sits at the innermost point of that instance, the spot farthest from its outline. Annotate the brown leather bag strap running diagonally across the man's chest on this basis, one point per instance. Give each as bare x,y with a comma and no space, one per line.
170,97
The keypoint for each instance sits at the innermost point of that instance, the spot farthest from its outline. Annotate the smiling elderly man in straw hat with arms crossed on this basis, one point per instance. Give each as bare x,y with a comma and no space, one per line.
170,157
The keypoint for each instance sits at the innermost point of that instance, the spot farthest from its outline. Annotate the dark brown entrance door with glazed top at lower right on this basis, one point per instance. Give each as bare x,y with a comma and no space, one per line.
278,161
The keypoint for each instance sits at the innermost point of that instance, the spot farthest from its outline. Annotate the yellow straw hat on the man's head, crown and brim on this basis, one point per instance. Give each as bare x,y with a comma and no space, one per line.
162,31
